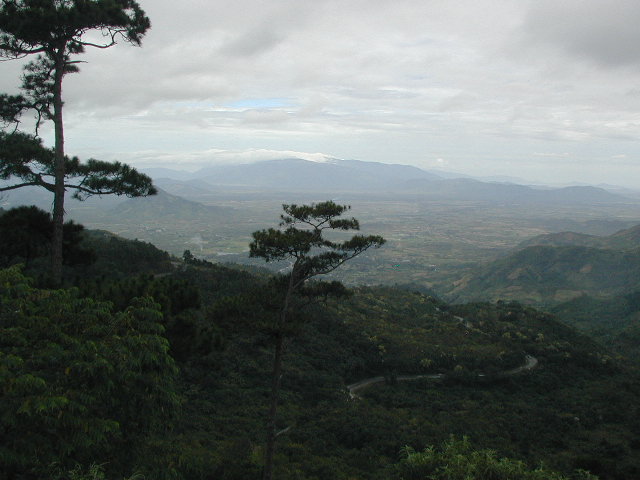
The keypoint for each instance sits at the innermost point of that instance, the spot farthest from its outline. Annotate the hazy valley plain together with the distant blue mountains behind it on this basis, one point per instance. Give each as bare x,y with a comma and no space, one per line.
438,226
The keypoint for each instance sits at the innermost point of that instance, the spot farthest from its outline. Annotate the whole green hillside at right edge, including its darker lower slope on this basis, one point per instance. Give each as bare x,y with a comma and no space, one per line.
589,281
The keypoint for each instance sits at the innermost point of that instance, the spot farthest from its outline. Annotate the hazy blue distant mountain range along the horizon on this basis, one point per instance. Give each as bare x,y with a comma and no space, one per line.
352,176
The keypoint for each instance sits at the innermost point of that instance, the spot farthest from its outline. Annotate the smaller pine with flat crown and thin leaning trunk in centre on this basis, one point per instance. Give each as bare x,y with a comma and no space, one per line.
302,241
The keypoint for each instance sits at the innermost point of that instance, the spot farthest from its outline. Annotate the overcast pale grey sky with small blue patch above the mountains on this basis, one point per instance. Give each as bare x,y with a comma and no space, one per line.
544,90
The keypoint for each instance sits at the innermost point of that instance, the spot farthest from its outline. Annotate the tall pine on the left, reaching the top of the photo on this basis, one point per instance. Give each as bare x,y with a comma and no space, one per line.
53,31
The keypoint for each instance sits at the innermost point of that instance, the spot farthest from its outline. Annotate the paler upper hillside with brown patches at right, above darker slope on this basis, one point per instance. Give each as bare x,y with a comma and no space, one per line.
554,268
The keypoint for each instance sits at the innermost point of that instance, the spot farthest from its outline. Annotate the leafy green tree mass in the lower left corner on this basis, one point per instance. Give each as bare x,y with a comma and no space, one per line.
81,383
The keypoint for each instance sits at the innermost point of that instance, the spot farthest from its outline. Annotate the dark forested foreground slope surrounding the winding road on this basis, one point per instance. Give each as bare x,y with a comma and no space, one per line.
198,349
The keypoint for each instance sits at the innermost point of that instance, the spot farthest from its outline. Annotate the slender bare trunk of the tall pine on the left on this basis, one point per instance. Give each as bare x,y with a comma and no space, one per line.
59,173
